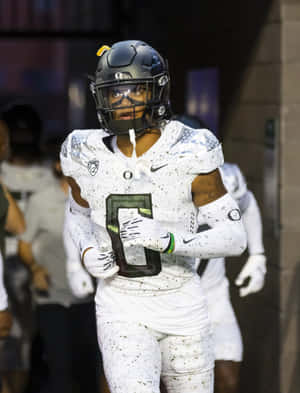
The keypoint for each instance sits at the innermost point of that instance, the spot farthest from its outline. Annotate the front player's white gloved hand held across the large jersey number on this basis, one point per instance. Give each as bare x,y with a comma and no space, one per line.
145,232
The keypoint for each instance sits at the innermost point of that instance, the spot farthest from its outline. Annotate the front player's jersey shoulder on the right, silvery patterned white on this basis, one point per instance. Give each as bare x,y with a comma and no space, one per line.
199,148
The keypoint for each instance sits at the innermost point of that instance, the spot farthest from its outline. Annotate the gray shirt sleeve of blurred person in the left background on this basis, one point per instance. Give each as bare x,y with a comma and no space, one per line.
32,219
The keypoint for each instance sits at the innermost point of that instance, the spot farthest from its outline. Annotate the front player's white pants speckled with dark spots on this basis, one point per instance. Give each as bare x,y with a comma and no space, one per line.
135,357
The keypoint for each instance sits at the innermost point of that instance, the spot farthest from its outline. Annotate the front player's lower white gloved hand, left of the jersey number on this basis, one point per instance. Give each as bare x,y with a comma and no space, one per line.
100,262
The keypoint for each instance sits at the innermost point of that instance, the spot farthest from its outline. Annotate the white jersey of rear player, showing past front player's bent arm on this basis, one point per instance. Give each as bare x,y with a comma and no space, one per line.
236,185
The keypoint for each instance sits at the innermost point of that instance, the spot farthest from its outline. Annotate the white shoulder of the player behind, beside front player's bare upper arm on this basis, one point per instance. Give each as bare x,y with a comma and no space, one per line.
233,180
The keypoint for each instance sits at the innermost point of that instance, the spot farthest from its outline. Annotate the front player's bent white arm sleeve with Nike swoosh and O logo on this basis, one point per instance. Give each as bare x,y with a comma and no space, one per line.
227,236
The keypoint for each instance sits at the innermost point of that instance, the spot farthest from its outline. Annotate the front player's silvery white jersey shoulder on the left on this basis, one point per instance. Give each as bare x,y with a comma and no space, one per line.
79,149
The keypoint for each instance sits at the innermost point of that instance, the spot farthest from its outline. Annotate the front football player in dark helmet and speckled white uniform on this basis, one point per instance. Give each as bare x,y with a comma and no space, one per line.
138,185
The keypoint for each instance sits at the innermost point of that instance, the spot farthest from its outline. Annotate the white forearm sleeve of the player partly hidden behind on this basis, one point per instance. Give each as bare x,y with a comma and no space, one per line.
253,225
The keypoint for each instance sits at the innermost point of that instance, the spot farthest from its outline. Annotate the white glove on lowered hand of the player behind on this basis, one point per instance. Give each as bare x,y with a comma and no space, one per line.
255,269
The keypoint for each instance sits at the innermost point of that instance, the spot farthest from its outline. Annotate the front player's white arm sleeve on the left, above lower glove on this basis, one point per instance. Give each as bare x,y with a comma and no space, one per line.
78,223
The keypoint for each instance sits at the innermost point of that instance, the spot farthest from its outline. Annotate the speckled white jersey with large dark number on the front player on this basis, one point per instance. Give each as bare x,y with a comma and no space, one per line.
156,184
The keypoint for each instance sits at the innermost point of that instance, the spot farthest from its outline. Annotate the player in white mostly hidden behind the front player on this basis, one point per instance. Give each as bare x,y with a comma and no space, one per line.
227,335
